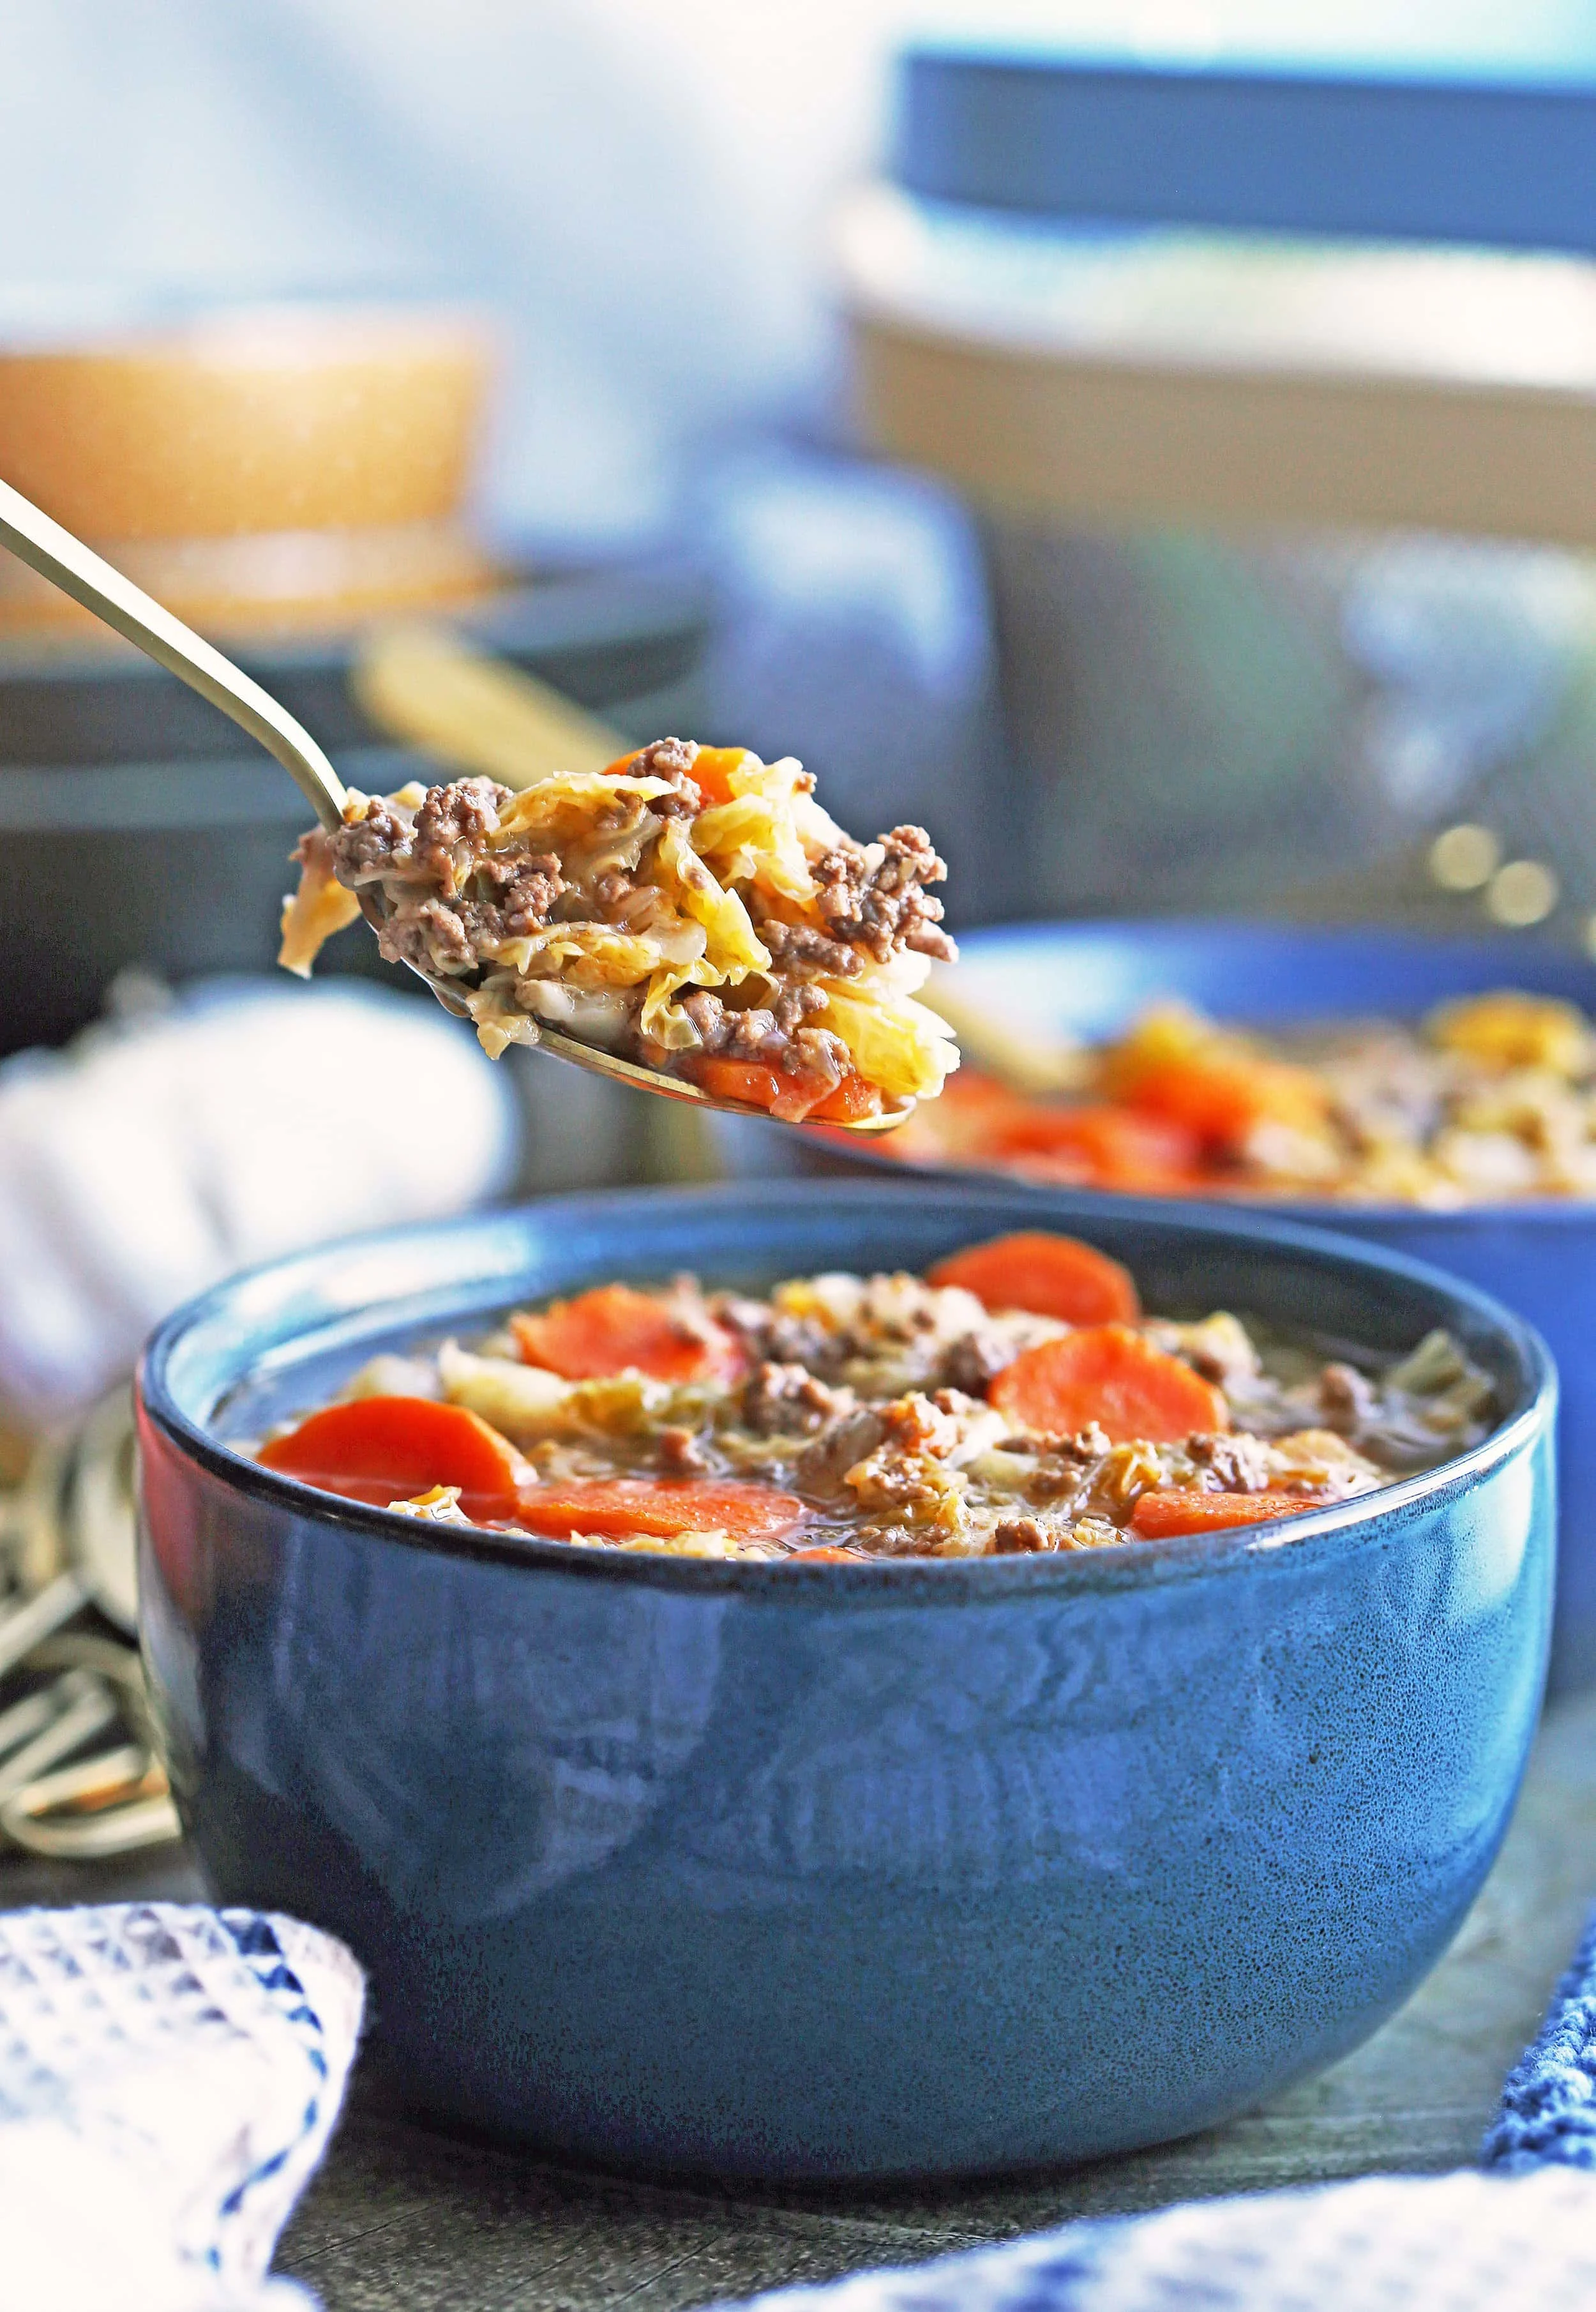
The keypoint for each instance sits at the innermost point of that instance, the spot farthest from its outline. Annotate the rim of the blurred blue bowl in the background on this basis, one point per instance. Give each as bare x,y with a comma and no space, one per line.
1313,1213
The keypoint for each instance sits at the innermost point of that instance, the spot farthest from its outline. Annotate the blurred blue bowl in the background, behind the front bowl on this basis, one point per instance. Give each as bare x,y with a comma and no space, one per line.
1091,979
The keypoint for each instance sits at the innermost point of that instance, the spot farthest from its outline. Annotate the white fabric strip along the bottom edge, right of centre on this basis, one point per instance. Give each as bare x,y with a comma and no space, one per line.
1389,2244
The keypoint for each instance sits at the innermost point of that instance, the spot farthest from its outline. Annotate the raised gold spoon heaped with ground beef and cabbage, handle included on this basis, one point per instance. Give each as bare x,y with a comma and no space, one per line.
688,919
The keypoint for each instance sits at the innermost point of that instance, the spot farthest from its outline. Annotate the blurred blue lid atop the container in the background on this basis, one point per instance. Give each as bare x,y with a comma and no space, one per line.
1505,158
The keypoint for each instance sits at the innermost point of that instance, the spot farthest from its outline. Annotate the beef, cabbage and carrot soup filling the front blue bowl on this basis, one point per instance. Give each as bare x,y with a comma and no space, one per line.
1014,1400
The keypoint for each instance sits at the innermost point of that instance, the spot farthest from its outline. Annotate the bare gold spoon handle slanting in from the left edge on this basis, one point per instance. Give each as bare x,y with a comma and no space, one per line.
61,558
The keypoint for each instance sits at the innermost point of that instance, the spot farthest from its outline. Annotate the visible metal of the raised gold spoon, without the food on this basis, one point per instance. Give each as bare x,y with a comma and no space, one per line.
71,565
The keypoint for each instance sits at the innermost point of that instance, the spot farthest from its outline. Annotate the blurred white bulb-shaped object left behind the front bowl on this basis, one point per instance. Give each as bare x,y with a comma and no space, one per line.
246,1120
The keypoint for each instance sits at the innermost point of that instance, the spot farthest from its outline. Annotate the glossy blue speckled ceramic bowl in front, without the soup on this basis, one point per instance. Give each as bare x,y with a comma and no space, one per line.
843,1872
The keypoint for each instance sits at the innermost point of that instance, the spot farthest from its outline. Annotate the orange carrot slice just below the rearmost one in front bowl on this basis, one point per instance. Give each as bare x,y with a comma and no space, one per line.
1111,1377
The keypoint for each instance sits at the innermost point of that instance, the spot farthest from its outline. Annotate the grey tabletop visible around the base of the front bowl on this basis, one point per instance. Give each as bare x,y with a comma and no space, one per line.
413,2221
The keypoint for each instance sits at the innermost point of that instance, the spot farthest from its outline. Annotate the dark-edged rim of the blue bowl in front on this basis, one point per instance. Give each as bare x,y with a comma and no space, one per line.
1116,1566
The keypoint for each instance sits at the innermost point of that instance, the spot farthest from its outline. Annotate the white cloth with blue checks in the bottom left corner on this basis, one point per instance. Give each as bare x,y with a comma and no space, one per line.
170,2077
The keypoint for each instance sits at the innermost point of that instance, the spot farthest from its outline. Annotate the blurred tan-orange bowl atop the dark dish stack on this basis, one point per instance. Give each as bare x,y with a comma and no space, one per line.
258,468
